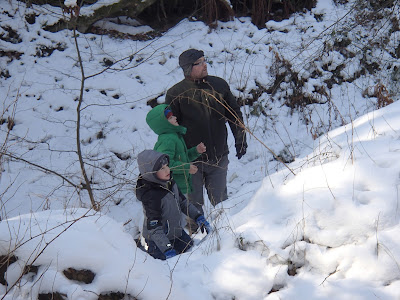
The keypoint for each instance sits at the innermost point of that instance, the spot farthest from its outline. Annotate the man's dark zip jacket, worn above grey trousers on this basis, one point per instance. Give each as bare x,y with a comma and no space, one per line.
203,107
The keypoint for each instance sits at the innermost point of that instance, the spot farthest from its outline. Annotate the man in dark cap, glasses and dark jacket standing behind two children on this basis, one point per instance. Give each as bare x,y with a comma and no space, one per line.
203,104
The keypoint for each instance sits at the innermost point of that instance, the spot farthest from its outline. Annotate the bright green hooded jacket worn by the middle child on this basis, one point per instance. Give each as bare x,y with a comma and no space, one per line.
170,141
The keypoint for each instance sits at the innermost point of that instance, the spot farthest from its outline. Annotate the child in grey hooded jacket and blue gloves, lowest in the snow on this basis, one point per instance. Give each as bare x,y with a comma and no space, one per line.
163,205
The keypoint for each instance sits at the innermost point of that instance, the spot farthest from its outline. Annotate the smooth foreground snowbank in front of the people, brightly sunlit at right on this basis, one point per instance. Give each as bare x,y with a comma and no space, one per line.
330,232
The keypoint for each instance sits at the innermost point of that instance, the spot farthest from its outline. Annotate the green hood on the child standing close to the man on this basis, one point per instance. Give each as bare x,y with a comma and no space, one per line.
159,123
